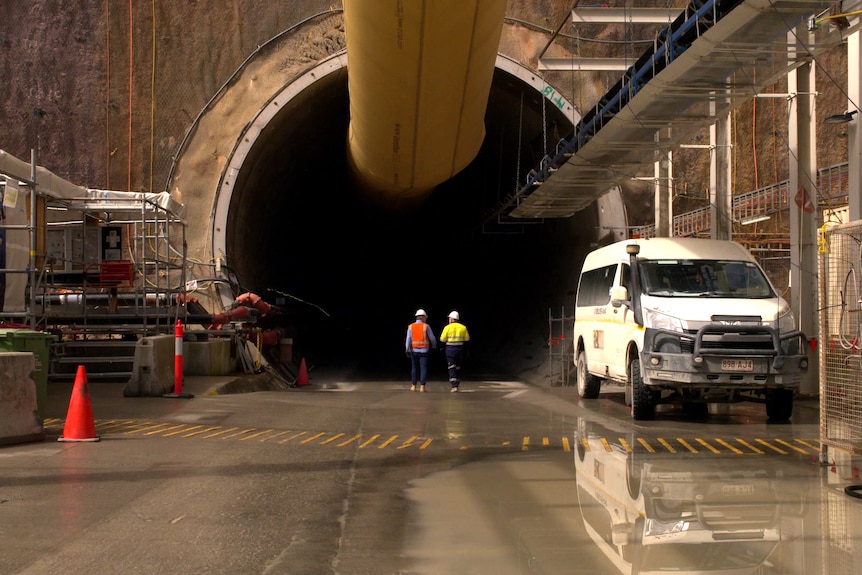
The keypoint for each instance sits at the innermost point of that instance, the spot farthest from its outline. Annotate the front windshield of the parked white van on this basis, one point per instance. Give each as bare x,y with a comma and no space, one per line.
704,278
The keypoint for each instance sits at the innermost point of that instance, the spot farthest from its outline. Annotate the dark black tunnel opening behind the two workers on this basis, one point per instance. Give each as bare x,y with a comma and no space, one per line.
349,275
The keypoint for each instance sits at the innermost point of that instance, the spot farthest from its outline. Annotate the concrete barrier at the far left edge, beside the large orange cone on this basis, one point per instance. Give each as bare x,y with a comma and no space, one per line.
19,410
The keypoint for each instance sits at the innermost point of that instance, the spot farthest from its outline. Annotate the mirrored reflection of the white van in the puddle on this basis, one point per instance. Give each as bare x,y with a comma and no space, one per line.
657,515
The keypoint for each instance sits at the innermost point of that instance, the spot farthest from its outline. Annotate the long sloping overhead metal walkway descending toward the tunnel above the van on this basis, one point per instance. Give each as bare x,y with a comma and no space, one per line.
715,56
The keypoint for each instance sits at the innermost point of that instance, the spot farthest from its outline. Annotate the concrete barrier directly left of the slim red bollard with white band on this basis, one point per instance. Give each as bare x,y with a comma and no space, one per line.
153,367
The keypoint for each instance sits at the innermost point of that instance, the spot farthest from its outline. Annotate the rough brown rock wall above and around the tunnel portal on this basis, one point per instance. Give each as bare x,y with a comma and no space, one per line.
105,92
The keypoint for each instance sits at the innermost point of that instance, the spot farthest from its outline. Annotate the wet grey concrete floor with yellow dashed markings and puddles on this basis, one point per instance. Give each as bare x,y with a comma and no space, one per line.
363,476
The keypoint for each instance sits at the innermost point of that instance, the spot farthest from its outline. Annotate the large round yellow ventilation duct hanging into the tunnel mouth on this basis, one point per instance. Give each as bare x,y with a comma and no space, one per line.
419,74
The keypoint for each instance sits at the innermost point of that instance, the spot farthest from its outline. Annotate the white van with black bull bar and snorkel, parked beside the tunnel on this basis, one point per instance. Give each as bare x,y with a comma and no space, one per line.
684,319
